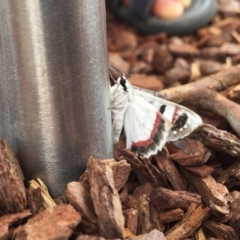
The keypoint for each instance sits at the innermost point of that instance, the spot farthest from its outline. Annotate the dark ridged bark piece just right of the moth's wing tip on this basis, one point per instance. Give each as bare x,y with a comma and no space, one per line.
220,140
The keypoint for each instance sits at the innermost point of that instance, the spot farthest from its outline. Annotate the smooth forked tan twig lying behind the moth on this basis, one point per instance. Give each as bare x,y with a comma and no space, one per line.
205,94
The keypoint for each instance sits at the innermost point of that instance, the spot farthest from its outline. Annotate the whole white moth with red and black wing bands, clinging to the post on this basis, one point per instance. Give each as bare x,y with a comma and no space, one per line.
148,121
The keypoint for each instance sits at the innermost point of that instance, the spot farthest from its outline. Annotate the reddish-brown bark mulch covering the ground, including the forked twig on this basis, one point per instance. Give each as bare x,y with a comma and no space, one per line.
189,190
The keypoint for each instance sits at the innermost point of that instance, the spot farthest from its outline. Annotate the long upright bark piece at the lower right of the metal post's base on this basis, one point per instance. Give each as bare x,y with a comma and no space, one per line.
105,199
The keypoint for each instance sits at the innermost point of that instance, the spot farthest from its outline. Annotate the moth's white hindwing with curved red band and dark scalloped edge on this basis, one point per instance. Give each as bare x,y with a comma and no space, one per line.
145,129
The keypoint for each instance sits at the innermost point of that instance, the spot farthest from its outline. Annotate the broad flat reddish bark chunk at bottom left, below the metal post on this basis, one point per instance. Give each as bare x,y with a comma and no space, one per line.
52,223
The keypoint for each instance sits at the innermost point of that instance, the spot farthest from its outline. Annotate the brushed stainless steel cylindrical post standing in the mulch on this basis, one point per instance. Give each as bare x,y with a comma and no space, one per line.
54,90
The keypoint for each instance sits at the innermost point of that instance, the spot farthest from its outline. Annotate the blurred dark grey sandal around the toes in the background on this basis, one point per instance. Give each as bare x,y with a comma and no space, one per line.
137,15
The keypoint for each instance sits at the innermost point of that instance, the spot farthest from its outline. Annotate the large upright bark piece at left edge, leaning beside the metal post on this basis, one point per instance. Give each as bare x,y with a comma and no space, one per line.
12,194
